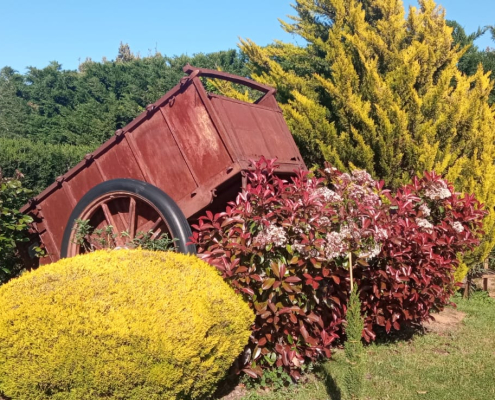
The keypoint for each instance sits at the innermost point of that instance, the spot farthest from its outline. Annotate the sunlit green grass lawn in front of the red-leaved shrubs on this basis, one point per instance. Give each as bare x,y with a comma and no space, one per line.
458,363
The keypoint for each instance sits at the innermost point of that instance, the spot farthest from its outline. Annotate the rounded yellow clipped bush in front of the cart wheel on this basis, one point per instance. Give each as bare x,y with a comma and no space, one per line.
121,324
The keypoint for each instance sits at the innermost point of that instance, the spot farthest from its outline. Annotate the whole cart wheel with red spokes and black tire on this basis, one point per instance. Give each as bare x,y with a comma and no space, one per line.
122,210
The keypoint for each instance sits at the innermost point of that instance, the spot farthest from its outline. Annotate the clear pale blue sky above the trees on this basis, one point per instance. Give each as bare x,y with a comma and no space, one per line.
34,32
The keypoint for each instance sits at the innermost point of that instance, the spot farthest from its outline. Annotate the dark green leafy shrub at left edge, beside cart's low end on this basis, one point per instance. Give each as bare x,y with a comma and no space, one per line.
13,224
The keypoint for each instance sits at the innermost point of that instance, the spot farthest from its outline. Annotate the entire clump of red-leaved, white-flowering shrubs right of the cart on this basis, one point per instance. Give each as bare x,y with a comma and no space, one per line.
285,246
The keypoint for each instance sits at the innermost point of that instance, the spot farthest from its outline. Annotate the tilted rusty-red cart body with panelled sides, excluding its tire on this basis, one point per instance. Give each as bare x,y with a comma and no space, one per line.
192,145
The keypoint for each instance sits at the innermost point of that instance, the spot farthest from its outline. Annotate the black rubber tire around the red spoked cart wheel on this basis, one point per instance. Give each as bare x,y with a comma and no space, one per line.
173,215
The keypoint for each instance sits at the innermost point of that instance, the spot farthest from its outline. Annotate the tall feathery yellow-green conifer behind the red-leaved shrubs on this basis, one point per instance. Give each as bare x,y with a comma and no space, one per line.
377,90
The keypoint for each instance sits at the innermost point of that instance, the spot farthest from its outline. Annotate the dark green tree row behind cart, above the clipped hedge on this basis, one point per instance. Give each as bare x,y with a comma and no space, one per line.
85,107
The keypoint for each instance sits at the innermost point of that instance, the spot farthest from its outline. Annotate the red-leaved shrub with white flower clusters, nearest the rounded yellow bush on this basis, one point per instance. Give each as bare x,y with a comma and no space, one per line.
284,246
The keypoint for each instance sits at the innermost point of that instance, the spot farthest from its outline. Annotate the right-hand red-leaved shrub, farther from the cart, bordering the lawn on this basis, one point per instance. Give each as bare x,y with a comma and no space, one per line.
429,224
